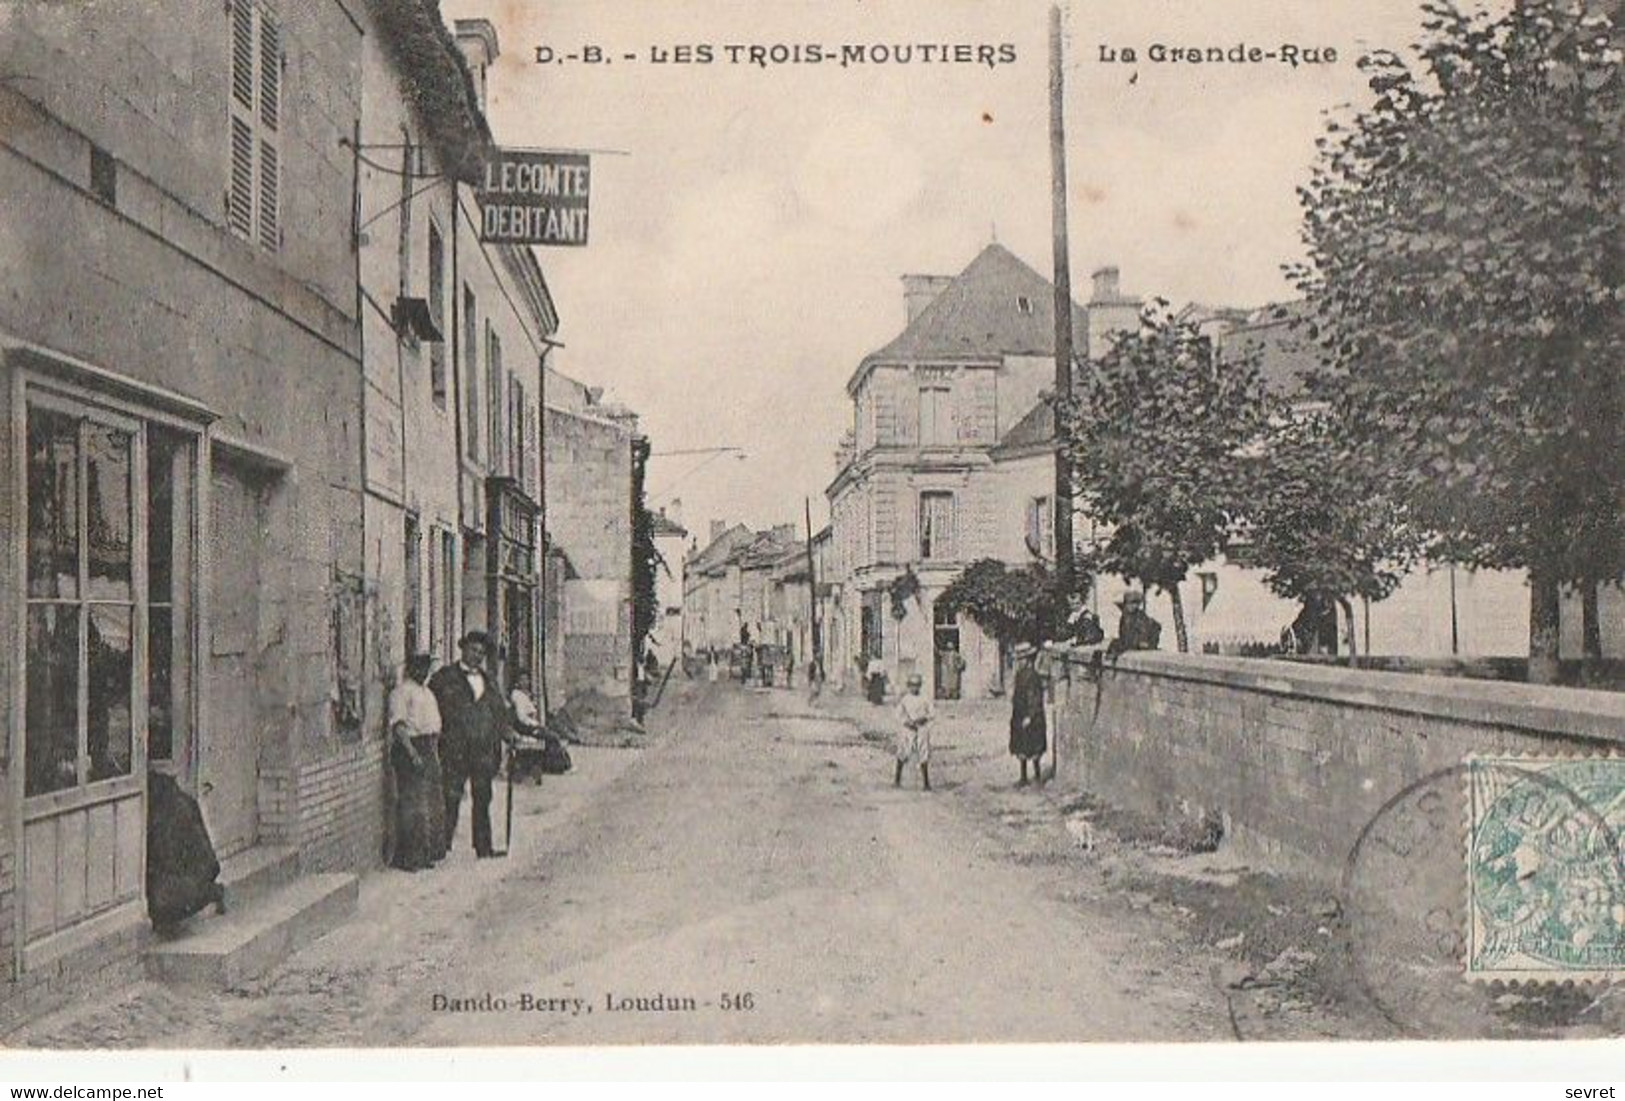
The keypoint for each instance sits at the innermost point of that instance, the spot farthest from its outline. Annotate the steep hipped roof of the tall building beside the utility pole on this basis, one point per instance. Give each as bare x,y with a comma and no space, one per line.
981,316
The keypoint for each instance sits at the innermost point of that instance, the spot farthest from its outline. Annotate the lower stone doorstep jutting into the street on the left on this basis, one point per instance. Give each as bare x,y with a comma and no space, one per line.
223,952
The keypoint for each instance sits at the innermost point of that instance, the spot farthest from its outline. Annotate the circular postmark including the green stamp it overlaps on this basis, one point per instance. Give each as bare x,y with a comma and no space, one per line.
1481,889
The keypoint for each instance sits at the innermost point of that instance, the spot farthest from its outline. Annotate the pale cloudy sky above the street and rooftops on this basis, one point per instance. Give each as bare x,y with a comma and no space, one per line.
752,225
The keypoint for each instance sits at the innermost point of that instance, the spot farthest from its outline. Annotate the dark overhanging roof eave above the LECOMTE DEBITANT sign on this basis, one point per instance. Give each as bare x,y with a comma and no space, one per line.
436,82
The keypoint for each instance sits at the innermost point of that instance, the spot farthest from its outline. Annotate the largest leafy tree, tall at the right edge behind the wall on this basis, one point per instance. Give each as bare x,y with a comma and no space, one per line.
1465,282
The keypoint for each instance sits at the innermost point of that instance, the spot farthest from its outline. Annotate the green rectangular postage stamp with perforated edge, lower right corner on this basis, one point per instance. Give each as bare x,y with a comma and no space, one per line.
1546,894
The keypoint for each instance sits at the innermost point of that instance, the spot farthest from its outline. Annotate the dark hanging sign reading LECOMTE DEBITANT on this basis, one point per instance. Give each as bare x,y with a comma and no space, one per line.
535,199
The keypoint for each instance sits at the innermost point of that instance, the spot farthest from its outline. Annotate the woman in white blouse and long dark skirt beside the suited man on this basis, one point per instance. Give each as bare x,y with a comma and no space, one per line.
415,758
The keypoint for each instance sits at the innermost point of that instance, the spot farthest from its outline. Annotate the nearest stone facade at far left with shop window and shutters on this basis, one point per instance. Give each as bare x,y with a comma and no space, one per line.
181,395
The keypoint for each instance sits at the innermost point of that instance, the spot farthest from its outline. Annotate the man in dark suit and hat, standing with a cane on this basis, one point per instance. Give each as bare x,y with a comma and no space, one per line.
474,725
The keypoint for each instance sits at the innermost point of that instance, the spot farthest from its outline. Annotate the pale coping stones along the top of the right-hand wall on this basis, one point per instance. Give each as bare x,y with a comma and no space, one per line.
1582,714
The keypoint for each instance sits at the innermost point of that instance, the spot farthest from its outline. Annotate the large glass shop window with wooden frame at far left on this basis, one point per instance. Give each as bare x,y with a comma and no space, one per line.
92,631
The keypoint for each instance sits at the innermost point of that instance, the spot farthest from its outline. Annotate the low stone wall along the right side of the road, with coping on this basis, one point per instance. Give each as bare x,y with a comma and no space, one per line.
1298,761
